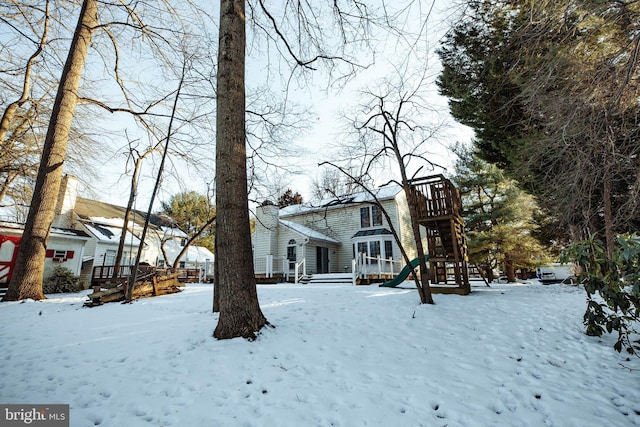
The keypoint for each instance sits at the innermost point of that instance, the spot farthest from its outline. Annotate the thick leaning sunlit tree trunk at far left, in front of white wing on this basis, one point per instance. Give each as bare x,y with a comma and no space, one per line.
26,281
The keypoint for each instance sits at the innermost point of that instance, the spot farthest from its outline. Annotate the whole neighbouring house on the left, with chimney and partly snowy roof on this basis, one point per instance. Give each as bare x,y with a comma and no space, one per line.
98,226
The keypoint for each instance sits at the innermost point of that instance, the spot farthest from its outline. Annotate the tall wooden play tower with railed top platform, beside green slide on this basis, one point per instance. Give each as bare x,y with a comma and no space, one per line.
439,210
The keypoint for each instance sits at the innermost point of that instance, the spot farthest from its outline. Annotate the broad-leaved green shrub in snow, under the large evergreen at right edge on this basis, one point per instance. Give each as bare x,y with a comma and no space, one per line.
612,284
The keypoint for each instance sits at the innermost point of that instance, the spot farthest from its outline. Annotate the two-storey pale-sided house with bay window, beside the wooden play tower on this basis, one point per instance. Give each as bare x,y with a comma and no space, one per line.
338,235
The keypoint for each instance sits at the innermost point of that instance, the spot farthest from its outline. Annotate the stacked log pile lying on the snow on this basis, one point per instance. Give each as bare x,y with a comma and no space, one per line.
151,286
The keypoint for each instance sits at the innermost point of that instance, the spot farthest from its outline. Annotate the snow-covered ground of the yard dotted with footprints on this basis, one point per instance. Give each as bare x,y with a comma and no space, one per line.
509,355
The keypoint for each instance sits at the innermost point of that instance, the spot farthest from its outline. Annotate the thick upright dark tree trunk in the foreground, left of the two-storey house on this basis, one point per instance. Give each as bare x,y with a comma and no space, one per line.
240,314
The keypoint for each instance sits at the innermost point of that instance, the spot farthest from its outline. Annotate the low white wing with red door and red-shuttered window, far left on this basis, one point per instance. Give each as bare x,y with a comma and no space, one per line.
66,248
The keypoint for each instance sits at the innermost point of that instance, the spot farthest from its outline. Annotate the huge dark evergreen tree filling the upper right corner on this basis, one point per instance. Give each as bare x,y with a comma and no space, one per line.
551,89
